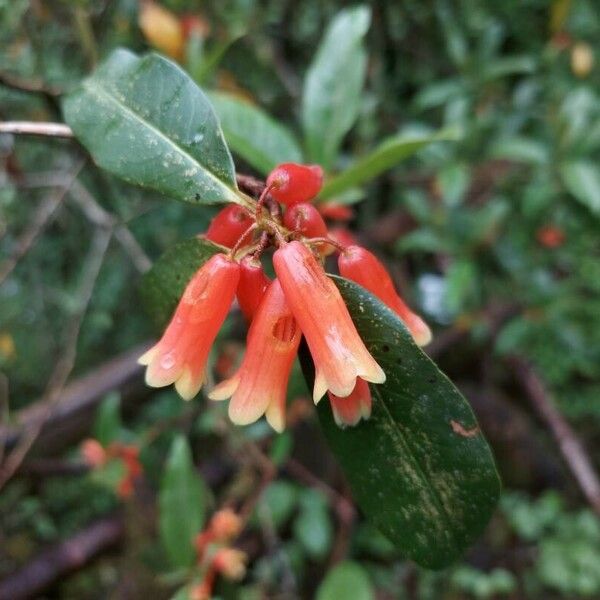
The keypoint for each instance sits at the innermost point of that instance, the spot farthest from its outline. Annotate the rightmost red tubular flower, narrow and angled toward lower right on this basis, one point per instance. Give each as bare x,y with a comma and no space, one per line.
361,266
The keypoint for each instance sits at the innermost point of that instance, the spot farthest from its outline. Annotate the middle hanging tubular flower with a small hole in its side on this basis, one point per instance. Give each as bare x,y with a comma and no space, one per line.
260,385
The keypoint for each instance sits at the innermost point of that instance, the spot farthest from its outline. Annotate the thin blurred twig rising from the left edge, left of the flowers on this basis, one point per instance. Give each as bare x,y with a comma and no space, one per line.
66,362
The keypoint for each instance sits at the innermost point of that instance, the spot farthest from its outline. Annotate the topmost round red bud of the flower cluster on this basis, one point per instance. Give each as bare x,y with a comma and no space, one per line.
292,183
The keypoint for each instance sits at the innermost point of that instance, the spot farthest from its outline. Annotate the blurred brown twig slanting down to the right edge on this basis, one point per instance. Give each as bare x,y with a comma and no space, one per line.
569,444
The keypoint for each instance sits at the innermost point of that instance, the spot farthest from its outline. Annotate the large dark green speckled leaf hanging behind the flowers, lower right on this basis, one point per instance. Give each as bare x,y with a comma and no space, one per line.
419,468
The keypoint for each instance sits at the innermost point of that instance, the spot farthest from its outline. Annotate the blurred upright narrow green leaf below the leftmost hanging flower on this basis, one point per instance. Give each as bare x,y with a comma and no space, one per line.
182,504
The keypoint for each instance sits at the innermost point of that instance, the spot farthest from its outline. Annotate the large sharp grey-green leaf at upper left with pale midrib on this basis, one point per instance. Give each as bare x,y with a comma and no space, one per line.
145,120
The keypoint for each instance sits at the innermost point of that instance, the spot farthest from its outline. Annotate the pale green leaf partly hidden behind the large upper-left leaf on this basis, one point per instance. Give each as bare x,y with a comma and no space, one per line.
254,135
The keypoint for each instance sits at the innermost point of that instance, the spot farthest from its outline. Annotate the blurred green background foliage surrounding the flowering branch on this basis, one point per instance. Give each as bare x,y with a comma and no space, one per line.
497,231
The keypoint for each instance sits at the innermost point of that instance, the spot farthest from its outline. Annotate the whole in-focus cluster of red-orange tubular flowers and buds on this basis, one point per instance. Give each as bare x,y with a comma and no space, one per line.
301,301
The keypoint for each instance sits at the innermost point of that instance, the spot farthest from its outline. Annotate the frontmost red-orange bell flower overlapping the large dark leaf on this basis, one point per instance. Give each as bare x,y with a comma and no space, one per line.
337,350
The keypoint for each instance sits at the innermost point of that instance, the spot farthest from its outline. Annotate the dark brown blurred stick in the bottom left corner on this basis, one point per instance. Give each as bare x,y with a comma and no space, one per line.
61,559
